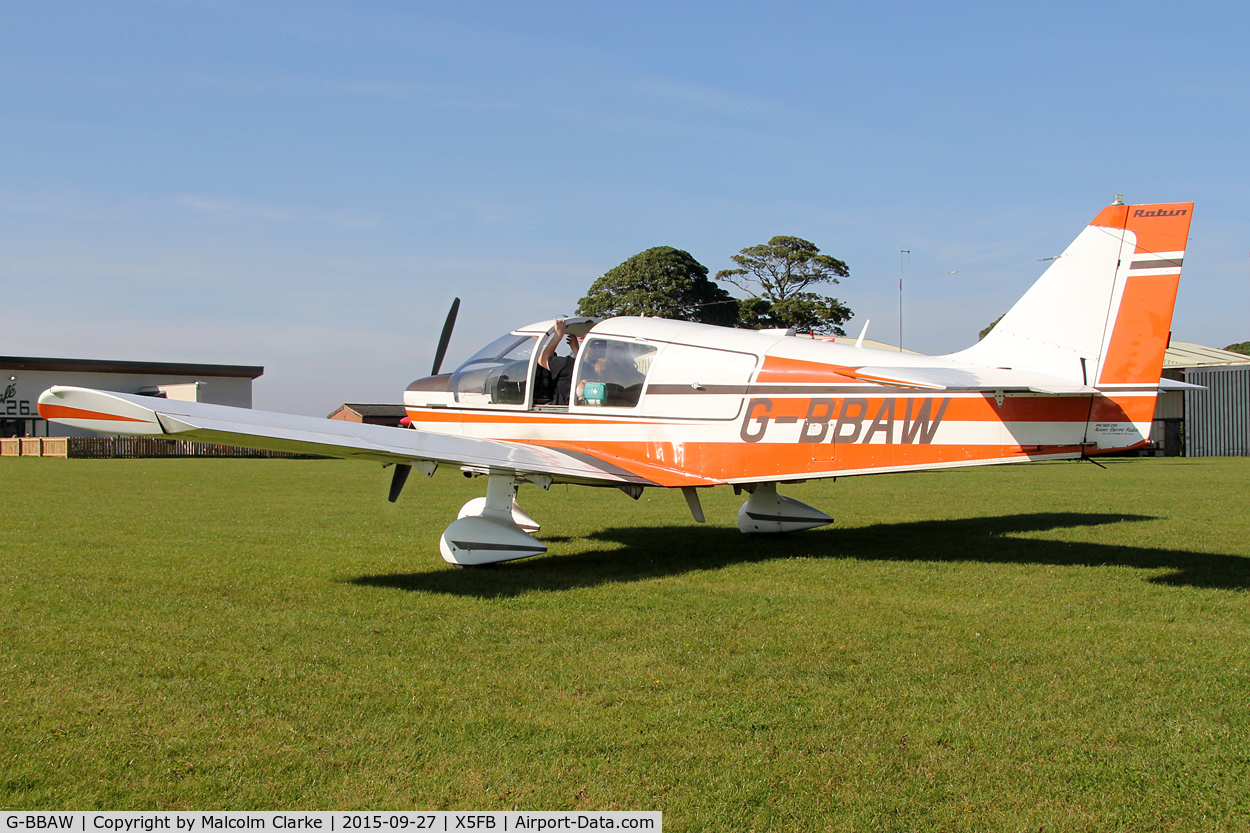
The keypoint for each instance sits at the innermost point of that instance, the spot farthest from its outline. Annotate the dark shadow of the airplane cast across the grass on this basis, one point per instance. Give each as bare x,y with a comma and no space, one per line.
657,552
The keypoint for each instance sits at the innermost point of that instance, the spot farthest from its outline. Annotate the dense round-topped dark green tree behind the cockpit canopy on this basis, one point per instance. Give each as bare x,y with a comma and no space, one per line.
662,283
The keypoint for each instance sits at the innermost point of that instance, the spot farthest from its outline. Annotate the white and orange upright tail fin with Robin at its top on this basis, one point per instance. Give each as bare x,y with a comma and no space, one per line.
1101,315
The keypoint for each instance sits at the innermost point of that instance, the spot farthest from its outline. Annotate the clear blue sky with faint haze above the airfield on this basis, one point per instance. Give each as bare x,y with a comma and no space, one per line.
308,186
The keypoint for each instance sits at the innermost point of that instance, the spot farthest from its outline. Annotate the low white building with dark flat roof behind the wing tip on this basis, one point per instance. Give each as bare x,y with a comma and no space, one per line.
24,378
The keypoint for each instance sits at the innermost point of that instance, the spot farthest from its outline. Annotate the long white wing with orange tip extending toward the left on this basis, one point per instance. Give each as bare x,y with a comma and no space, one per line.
118,413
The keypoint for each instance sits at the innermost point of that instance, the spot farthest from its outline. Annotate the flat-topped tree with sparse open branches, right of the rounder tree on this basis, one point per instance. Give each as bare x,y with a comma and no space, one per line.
779,273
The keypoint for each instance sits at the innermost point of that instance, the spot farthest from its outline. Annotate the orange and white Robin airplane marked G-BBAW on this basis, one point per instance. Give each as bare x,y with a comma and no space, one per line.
1072,371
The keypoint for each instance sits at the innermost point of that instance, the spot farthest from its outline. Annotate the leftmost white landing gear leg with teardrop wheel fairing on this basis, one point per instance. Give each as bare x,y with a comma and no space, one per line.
492,530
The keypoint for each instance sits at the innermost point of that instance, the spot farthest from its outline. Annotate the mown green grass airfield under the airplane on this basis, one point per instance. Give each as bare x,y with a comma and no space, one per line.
1048,647
